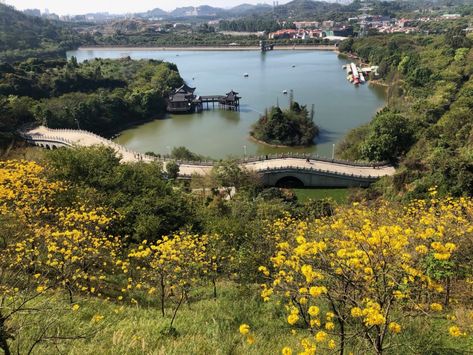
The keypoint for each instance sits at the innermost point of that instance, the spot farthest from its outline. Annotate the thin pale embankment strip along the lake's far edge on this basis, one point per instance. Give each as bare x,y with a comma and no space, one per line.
209,49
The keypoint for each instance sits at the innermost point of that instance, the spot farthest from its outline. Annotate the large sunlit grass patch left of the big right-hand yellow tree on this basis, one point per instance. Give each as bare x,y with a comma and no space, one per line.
206,326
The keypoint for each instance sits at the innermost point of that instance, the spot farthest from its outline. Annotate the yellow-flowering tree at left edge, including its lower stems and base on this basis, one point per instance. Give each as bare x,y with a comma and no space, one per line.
45,245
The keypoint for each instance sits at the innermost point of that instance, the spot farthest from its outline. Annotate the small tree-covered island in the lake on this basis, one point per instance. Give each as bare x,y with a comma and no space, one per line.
291,127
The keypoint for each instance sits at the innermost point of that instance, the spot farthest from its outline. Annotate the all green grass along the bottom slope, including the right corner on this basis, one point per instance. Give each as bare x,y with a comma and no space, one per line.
204,326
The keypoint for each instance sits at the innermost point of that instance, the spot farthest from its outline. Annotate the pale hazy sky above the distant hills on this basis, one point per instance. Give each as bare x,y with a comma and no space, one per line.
64,7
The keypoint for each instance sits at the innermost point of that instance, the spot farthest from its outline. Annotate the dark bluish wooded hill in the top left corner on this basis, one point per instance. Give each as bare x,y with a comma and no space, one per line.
32,35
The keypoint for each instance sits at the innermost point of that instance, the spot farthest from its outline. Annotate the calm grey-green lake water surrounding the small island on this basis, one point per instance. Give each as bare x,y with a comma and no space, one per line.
316,77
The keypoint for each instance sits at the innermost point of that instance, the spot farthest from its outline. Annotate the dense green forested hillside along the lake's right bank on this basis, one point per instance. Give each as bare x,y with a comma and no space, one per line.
426,127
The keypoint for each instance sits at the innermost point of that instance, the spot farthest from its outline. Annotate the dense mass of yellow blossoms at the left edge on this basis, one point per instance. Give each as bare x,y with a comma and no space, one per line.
68,247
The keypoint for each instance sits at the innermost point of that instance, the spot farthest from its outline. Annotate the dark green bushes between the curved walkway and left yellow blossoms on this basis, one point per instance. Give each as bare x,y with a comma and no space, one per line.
148,204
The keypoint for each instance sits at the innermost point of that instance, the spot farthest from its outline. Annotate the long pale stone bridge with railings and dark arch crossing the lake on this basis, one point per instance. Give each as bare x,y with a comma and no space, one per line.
275,170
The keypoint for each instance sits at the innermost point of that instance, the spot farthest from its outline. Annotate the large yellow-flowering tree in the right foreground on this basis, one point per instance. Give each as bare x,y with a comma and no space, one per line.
359,273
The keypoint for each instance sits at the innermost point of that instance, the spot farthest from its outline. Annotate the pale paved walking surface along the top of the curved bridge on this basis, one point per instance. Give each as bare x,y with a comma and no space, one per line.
83,138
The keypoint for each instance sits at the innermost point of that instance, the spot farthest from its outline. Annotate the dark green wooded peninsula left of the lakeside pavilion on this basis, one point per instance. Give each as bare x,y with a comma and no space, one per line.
99,95
